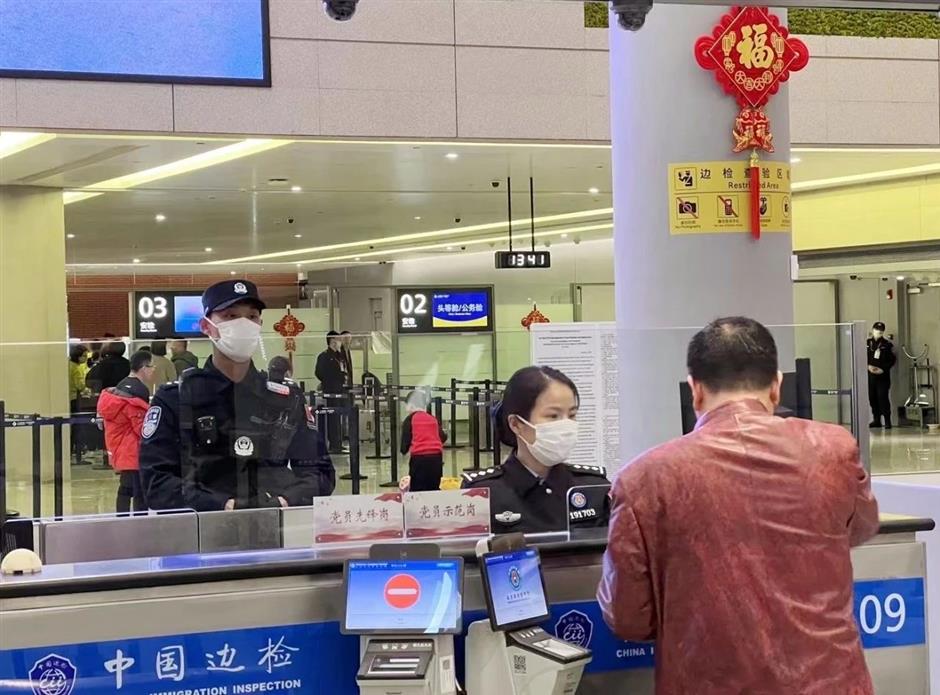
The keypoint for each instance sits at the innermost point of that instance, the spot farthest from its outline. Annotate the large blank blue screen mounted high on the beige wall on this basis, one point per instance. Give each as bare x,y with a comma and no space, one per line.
185,41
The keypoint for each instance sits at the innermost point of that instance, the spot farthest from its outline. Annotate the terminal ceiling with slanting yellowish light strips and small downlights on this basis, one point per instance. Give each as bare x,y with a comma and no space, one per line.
282,204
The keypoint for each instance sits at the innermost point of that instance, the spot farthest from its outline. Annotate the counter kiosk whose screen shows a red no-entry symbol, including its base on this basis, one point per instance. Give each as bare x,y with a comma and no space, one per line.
406,612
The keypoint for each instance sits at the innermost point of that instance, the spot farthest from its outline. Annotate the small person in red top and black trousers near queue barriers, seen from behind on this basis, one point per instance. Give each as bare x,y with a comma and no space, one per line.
423,438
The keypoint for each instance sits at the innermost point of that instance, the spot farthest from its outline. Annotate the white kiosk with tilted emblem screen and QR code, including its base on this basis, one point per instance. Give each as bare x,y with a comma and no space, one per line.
510,654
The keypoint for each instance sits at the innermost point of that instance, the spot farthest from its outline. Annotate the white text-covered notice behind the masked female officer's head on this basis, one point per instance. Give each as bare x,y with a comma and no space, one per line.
587,353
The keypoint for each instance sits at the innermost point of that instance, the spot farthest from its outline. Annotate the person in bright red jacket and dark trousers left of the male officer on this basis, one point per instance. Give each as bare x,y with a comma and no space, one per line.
122,409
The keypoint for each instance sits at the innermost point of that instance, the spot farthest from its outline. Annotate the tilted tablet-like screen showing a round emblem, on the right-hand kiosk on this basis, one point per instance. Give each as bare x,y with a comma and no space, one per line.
516,592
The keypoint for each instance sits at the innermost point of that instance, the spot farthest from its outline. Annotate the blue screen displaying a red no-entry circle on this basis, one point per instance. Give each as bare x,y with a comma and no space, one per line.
403,597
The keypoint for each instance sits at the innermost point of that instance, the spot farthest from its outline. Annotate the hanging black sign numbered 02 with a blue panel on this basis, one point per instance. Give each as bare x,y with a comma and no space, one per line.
445,310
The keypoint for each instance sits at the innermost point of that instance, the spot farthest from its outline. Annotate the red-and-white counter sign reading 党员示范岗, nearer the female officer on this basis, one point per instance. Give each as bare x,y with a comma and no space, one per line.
447,513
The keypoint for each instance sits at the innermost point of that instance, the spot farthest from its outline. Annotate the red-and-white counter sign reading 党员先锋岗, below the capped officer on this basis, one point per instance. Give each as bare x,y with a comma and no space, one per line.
358,518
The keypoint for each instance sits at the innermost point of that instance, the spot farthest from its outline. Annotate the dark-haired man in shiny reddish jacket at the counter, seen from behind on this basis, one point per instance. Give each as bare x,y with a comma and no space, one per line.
730,546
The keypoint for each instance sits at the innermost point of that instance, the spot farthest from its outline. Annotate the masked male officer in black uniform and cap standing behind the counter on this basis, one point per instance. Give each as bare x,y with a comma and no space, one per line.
224,437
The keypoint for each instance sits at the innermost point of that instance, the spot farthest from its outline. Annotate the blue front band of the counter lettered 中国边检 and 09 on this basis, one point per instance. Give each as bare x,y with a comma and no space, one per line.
315,659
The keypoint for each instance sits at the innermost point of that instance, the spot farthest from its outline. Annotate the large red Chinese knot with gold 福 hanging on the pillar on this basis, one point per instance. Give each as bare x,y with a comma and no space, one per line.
751,55
